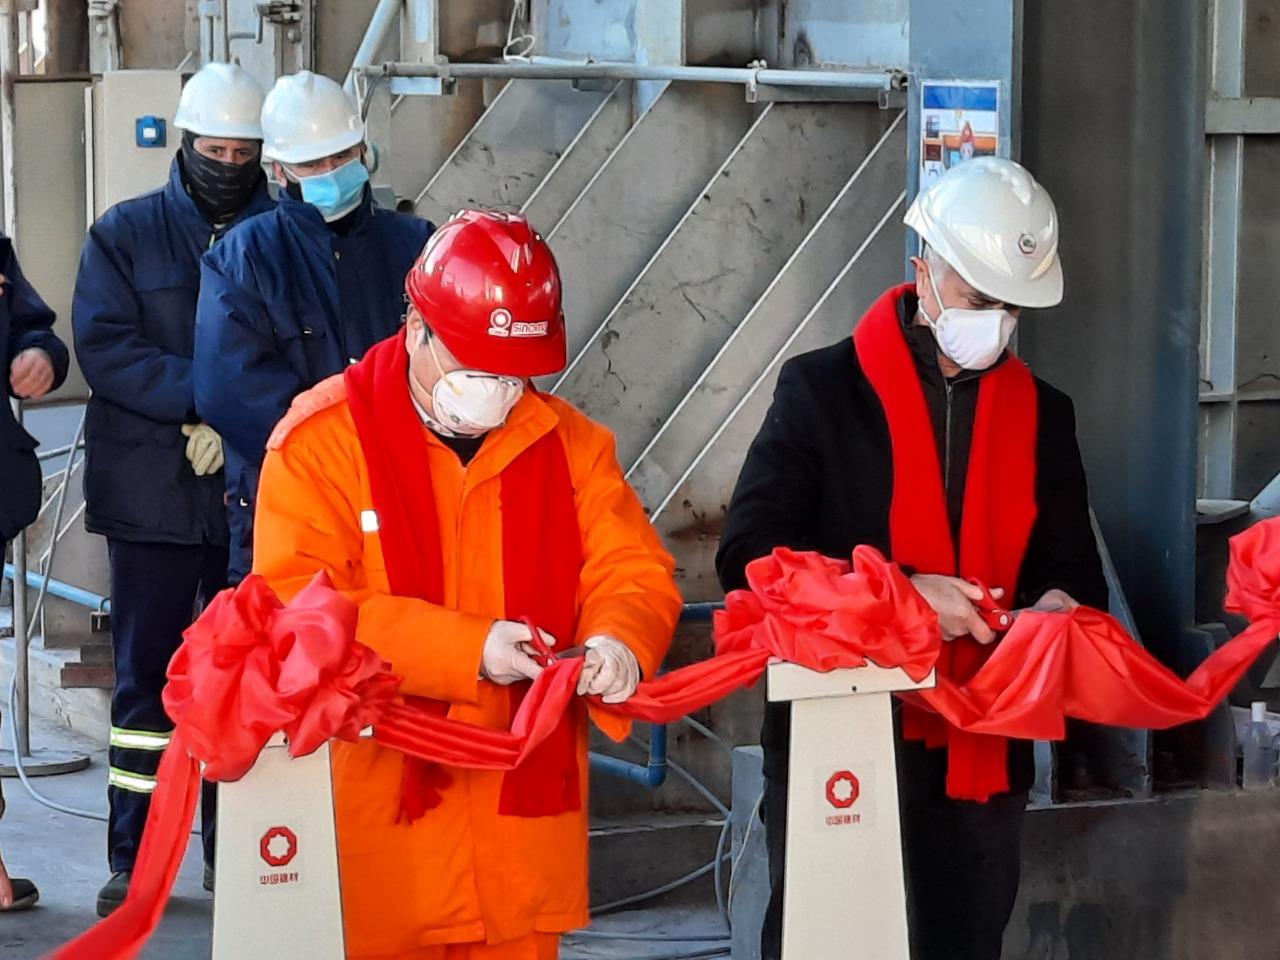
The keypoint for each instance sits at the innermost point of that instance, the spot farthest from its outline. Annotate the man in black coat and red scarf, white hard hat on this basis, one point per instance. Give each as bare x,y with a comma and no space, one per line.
902,438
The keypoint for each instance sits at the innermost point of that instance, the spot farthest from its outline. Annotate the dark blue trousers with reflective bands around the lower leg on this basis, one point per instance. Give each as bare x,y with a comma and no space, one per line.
157,591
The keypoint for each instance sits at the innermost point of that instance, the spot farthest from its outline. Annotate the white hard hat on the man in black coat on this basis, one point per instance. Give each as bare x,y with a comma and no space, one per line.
998,227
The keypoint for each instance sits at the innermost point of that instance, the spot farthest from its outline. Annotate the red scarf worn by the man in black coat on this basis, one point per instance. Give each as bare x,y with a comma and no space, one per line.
999,514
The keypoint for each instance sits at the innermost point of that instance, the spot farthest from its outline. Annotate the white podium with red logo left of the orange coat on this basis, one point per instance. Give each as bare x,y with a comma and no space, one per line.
277,894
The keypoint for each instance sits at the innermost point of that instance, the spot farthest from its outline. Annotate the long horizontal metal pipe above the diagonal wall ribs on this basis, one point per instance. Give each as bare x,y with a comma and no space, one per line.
766,77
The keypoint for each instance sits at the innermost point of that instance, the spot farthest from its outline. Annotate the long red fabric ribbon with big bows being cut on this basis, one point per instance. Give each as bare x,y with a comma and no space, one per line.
260,666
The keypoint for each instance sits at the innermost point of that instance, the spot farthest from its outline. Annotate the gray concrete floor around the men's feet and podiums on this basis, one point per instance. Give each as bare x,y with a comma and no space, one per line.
66,857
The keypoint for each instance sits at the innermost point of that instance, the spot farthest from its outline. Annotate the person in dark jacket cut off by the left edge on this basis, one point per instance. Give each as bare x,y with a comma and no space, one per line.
38,364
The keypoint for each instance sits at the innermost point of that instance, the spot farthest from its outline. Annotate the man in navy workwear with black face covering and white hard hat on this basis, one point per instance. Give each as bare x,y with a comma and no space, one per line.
154,483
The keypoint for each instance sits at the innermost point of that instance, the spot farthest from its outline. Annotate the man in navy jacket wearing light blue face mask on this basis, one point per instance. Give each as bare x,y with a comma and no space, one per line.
295,296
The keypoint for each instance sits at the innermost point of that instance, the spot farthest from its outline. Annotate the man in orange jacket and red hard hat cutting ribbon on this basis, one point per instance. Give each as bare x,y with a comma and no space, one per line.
461,509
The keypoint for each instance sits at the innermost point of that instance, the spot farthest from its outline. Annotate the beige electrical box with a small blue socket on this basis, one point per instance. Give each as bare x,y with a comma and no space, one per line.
127,120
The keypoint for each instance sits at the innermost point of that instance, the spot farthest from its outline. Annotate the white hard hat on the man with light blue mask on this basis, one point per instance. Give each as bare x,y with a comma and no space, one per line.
308,117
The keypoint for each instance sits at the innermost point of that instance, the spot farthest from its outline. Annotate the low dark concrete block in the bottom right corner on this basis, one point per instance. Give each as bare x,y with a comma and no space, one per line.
1183,879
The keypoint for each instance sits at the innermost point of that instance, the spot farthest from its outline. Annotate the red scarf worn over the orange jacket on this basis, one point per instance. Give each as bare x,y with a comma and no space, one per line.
542,561
